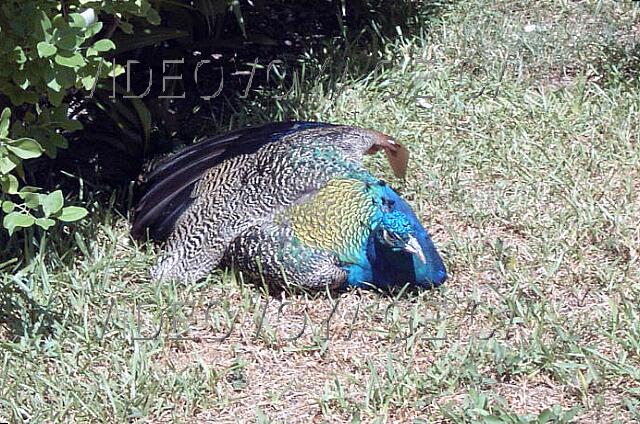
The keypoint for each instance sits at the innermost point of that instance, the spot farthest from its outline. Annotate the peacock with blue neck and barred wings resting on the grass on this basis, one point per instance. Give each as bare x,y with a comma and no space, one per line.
287,203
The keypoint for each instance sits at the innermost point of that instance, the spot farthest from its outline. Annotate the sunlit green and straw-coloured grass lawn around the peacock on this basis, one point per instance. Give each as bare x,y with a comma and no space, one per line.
523,121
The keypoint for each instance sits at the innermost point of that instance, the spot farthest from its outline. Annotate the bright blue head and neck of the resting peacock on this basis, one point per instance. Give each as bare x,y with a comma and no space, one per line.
402,251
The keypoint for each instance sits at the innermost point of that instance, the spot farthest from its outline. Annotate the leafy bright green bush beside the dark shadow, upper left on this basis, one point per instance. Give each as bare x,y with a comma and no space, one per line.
48,50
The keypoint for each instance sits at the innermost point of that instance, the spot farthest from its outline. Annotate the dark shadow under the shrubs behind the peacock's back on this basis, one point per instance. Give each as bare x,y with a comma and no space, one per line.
120,136
